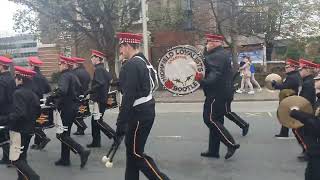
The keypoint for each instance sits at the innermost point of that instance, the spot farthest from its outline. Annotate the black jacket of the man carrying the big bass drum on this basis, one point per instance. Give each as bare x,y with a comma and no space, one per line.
218,81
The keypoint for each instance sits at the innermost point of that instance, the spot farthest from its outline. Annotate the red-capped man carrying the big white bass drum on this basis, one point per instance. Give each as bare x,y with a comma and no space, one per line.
218,89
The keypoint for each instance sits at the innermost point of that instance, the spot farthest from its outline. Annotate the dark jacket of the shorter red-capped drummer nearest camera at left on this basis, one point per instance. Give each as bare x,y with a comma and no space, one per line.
26,109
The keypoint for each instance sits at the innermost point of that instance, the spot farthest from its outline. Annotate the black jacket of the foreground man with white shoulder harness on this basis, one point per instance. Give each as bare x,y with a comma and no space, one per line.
134,83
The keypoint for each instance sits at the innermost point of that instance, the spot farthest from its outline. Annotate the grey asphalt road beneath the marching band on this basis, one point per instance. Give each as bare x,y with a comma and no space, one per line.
178,137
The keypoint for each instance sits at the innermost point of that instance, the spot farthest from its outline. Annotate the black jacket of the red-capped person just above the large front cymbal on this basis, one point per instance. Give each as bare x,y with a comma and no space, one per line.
308,91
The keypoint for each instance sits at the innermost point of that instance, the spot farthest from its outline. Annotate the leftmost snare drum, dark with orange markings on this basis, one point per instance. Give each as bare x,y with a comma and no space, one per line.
45,120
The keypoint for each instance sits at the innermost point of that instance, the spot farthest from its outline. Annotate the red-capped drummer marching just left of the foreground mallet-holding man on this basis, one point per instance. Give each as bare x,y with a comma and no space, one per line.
98,94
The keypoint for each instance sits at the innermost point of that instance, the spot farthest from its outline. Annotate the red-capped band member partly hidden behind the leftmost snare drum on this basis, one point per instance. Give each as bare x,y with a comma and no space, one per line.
40,87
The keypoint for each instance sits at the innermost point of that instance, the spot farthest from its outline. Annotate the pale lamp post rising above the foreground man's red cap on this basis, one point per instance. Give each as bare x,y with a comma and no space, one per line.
145,28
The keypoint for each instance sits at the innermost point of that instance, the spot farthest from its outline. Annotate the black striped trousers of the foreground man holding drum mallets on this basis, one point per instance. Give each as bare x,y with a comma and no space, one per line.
138,131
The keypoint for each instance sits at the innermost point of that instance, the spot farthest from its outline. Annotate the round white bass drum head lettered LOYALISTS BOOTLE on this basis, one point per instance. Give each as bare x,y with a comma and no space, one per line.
178,67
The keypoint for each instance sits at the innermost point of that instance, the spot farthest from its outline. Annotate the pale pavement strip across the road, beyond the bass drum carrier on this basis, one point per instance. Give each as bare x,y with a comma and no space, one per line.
198,96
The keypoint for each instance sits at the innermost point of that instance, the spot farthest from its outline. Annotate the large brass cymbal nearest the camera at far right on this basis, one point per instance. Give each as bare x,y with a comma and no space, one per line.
289,103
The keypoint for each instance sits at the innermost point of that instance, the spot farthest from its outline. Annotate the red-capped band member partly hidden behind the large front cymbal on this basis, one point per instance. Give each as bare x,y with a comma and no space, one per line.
307,72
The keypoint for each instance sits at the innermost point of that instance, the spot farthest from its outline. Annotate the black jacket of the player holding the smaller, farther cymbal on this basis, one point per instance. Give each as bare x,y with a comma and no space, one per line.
292,81
